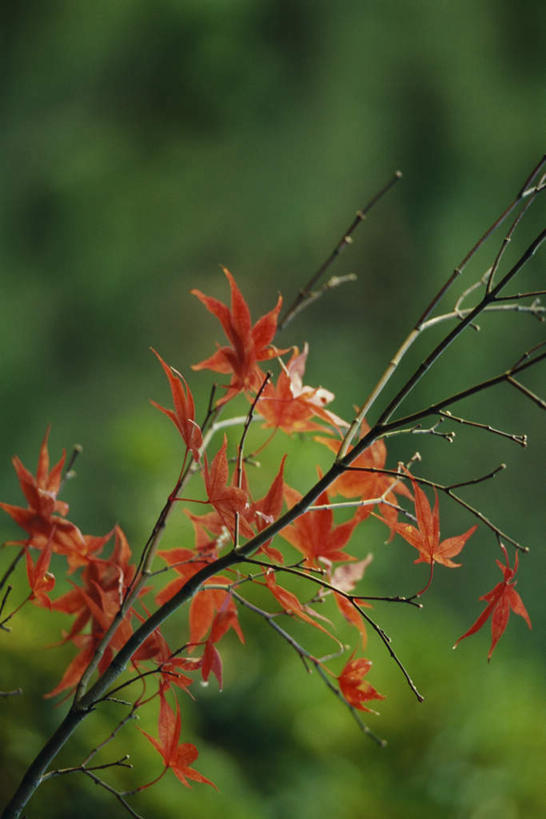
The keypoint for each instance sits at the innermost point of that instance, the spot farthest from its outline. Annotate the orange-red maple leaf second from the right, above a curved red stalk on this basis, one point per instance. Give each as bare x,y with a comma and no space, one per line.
426,538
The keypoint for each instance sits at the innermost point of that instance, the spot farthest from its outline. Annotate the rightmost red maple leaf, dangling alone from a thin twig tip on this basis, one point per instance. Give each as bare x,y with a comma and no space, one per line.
502,599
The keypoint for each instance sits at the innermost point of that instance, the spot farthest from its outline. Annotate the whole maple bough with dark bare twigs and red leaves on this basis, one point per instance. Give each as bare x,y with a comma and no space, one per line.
246,551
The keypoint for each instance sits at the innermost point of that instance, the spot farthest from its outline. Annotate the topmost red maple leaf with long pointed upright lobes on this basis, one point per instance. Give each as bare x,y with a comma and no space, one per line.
249,344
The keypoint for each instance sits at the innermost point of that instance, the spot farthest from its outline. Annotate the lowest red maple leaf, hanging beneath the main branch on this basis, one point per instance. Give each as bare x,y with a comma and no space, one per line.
176,756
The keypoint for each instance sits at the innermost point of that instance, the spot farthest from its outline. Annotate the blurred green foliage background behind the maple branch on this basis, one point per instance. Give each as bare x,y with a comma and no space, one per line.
144,144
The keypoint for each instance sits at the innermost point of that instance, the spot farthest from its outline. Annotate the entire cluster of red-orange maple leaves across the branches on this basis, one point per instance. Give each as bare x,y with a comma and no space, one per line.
109,598
